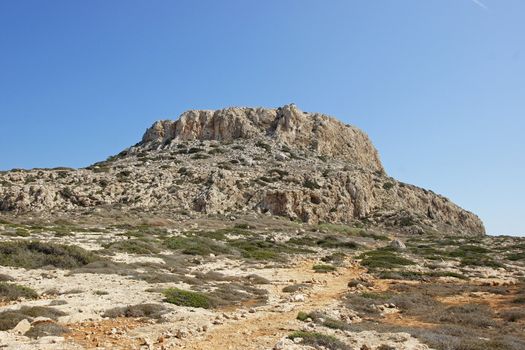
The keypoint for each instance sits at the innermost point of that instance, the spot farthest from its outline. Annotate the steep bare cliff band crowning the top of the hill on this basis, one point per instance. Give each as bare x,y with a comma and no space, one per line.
286,125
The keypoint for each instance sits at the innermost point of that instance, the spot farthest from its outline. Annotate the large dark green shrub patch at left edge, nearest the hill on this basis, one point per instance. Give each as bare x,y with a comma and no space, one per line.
35,254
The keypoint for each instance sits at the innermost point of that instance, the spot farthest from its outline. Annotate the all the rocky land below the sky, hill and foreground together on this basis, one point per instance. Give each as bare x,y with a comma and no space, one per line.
249,229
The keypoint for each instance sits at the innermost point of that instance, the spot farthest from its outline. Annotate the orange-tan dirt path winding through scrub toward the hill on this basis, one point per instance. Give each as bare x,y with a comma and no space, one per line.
264,328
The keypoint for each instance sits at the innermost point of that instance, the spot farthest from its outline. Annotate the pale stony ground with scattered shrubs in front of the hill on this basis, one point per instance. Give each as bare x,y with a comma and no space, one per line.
254,282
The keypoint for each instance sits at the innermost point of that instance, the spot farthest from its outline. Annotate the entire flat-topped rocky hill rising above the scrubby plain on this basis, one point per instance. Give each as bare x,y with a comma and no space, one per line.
305,166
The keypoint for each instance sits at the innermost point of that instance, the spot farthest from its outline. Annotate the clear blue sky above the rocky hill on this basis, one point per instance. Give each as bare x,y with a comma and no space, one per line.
439,85
